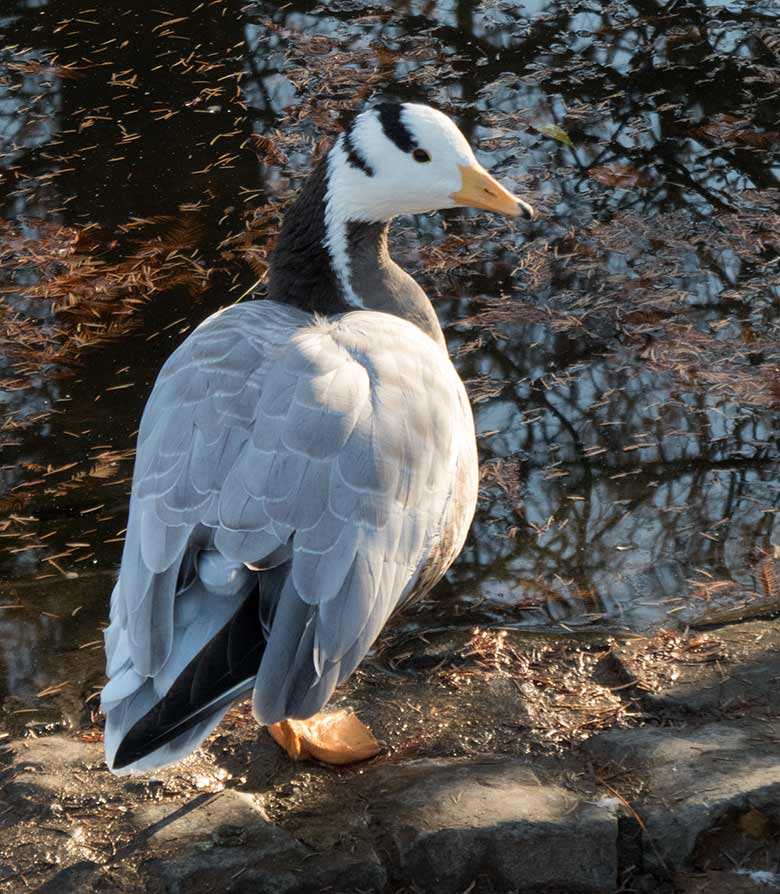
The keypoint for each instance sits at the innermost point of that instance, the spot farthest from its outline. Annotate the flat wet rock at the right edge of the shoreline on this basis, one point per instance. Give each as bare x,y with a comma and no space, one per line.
697,780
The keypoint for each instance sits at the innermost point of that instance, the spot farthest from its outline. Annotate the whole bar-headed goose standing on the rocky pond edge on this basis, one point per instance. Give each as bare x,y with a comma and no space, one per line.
305,465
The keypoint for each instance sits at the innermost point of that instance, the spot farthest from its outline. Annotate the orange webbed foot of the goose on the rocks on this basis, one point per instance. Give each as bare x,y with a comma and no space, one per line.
337,738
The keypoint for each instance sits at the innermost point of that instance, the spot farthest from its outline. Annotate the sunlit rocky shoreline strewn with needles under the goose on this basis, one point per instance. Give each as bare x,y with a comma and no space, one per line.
515,763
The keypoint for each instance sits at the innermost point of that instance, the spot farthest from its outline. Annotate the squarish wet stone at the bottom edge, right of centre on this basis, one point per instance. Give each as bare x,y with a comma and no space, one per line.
495,824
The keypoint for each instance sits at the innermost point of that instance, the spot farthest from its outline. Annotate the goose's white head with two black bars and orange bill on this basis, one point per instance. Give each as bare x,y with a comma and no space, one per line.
409,159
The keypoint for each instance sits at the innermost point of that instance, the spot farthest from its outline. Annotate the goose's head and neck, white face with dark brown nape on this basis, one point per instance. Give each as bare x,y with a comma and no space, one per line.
332,254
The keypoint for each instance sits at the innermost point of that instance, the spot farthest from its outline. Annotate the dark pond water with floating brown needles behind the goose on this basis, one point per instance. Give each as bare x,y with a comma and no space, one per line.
622,352
